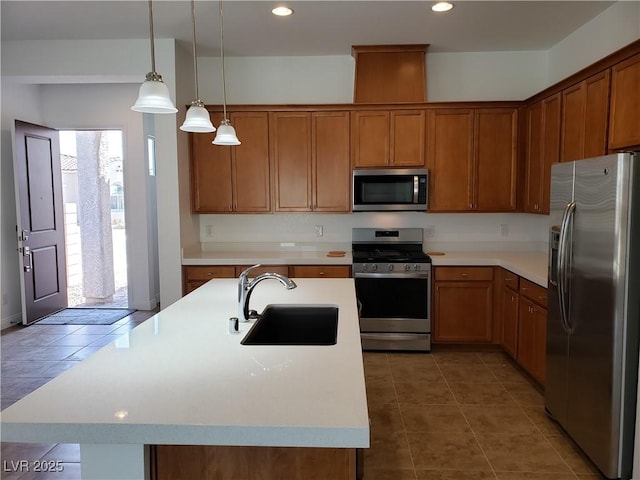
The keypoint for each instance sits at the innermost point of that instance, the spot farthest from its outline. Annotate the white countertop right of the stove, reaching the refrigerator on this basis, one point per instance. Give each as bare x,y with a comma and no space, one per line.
530,265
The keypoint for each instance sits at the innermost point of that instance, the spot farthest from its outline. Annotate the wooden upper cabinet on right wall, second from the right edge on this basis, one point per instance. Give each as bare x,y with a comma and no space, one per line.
585,109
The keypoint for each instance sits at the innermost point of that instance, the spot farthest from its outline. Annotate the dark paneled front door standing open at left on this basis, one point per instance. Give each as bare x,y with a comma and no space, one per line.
40,216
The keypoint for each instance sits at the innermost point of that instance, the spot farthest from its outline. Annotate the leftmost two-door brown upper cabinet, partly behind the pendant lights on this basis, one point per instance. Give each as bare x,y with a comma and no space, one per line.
232,179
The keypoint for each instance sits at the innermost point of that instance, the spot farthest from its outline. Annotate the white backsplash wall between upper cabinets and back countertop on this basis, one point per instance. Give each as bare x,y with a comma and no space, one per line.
473,231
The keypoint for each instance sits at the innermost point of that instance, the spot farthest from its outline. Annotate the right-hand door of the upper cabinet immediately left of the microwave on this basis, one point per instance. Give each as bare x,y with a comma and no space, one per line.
330,162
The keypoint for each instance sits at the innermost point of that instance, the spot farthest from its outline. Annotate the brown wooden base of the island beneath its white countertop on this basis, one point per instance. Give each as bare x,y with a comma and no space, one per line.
190,462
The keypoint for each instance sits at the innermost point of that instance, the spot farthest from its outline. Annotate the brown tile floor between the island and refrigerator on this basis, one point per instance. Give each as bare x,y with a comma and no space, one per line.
454,415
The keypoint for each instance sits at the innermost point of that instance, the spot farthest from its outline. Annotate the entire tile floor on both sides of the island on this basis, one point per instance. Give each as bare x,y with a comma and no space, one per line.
440,416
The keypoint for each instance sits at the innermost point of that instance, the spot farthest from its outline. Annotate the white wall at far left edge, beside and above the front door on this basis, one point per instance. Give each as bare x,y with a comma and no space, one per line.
21,102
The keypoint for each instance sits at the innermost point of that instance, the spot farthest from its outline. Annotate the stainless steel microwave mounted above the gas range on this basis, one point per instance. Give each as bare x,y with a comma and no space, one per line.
390,189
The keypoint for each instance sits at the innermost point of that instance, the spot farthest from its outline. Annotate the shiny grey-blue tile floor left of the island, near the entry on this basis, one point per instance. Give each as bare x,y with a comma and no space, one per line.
33,355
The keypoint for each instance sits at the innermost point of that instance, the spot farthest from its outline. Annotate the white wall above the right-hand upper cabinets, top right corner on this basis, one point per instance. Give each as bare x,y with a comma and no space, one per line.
614,28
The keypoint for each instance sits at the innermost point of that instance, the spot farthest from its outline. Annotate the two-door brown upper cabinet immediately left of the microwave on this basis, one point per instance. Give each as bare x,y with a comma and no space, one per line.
310,161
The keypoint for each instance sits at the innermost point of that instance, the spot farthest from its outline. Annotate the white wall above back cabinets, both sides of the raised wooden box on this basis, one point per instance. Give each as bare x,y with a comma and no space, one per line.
330,79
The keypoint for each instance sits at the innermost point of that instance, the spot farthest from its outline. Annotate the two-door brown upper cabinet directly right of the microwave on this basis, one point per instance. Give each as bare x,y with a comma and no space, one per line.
472,158
